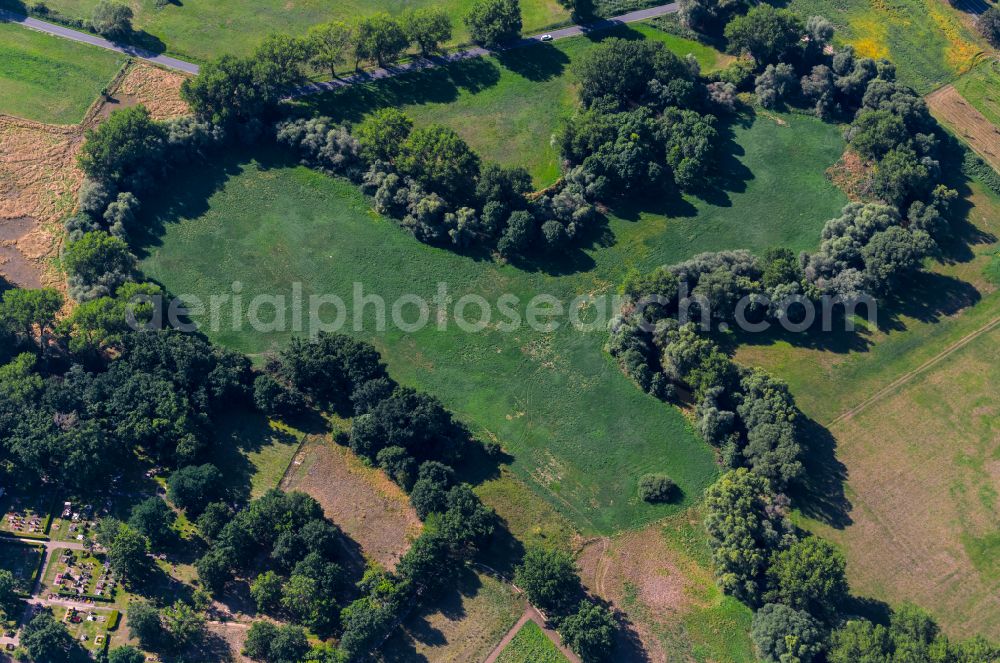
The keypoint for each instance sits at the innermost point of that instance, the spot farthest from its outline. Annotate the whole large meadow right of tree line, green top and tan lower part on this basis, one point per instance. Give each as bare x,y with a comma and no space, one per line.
920,448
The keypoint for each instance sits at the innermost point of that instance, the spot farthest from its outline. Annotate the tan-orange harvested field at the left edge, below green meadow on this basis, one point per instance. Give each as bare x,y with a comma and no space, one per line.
38,183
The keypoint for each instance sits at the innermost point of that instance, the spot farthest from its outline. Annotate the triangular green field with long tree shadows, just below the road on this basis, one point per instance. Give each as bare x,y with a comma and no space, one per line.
507,107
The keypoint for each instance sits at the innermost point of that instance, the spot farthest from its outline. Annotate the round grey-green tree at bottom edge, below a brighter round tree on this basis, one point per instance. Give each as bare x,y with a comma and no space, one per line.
782,634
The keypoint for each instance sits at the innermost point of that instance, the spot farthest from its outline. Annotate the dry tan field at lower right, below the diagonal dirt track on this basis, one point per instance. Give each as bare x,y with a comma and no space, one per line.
924,483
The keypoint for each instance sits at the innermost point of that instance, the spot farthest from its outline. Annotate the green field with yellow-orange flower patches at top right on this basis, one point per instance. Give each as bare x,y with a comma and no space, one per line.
926,39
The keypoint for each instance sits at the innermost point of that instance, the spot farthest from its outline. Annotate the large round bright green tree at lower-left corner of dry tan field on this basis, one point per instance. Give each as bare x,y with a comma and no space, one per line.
809,576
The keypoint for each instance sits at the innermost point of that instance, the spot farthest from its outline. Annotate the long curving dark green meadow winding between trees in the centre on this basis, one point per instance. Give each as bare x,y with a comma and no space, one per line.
554,400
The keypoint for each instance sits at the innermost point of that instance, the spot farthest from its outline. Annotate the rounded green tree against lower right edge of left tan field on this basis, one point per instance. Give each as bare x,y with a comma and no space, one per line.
97,264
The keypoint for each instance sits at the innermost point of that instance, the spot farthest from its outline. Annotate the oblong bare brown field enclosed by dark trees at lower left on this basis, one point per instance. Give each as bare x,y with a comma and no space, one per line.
362,501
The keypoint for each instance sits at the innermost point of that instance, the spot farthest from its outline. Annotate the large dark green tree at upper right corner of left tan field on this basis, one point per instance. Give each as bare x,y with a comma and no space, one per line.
125,149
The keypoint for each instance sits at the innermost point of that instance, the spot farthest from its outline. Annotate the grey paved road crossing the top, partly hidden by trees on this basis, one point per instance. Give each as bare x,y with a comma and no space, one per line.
416,65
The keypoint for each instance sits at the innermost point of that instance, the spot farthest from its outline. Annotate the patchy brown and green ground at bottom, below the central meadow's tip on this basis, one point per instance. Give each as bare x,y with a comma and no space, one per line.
660,578
